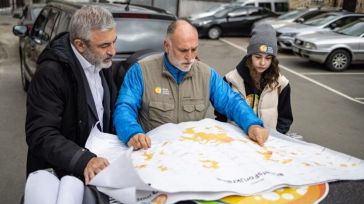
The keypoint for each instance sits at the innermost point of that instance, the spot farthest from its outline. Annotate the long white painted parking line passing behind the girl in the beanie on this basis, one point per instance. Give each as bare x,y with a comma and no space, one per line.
303,76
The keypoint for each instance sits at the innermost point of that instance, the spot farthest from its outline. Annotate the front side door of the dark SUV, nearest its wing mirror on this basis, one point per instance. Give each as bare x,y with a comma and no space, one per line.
40,36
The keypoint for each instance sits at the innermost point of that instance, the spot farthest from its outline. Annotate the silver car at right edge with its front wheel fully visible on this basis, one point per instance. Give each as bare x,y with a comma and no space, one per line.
337,49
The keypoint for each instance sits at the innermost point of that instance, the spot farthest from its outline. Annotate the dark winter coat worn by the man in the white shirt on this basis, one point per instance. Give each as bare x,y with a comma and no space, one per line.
61,111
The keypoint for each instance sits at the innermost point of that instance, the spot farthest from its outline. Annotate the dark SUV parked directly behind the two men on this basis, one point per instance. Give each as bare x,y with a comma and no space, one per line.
140,30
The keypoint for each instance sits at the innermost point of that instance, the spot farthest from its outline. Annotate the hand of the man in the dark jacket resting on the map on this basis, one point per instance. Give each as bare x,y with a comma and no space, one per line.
93,167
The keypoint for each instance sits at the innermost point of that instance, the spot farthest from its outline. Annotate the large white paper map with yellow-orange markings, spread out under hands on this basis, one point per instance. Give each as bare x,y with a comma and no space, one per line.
208,159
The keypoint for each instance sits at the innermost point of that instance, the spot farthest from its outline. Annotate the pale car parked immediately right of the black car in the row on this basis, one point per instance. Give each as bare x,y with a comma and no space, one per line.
296,16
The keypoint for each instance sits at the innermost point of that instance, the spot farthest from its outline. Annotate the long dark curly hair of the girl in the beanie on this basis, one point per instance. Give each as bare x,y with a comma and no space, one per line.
269,76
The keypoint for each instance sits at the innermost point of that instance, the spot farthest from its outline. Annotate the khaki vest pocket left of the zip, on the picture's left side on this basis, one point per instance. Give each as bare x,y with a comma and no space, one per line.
161,112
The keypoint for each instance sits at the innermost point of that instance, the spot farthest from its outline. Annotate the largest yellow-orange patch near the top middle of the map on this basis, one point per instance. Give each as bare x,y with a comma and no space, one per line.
204,138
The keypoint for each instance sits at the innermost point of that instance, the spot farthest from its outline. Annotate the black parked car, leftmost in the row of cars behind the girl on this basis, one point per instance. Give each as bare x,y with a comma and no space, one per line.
231,20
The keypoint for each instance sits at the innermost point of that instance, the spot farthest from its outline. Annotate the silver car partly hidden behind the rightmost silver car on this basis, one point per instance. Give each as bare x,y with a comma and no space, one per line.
326,21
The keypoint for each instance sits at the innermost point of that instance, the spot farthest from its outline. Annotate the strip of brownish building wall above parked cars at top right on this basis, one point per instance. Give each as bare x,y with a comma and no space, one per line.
327,3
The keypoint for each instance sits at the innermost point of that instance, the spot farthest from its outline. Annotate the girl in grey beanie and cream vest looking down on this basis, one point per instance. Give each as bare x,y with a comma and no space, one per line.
258,80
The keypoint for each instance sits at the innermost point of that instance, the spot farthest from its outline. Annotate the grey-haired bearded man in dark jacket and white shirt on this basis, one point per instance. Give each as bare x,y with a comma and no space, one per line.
71,92
